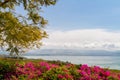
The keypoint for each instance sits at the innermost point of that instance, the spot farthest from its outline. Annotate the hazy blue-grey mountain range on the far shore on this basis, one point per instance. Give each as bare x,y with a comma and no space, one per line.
72,52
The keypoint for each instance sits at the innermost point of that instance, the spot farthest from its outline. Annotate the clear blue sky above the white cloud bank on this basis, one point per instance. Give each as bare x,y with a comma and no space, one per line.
83,14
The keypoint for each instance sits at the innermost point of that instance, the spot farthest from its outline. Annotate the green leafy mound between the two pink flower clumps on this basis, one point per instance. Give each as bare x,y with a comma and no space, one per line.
59,73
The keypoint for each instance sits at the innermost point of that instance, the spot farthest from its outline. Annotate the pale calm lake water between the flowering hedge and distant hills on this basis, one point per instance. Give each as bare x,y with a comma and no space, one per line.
112,62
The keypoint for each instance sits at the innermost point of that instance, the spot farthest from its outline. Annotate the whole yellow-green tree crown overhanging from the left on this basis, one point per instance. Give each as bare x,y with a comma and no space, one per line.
20,32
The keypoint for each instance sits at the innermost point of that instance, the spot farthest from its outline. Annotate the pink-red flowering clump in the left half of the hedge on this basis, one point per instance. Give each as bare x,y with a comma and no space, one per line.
28,70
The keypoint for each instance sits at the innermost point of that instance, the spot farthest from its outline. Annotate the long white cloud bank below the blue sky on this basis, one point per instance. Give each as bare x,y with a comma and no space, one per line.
94,39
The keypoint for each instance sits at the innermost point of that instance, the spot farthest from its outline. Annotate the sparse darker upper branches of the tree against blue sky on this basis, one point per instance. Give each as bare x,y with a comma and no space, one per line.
32,8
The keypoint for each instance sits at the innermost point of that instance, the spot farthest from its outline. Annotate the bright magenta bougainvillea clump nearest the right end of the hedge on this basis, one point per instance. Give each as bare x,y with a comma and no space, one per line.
93,73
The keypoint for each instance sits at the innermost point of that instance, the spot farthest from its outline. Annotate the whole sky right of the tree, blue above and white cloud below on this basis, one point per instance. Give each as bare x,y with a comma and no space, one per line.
83,24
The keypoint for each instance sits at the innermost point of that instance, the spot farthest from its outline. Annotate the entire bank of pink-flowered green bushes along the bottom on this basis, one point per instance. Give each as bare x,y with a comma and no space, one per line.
43,70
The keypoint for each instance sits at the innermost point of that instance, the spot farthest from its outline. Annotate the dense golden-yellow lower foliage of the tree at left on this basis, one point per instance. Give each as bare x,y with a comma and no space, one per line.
17,36
